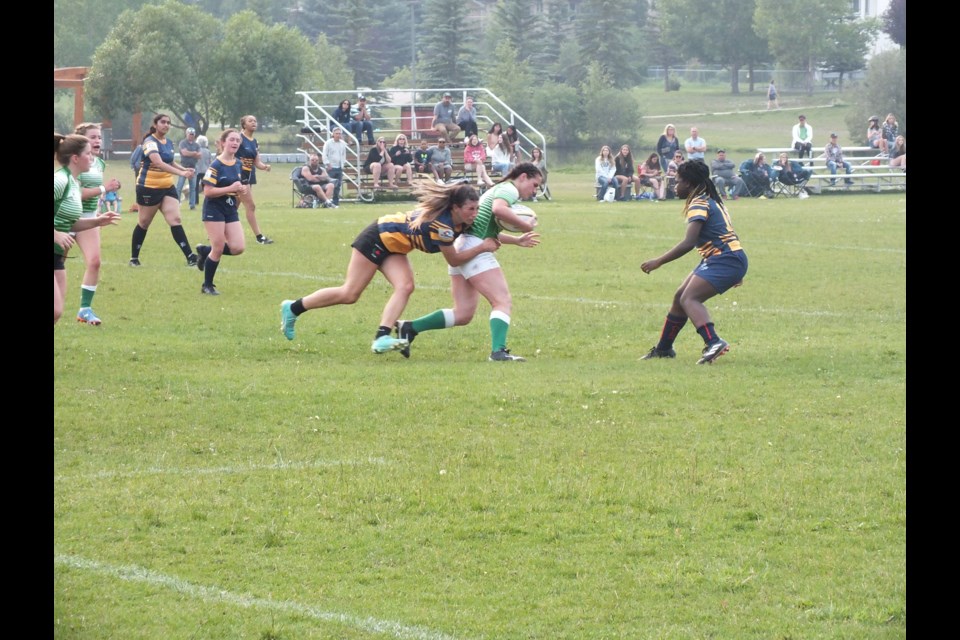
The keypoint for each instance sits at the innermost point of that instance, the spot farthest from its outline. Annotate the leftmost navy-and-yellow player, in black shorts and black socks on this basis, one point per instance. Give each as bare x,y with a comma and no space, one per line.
156,190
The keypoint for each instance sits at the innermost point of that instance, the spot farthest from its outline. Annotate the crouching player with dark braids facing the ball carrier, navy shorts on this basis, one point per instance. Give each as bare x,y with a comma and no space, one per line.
723,264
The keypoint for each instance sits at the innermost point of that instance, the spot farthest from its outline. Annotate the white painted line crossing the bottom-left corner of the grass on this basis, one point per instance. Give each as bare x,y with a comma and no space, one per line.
133,573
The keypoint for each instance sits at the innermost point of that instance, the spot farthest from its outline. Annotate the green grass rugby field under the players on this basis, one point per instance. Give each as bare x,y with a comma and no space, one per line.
213,480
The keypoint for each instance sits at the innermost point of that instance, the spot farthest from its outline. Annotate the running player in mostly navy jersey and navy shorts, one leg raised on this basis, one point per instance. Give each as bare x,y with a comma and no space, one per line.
222,188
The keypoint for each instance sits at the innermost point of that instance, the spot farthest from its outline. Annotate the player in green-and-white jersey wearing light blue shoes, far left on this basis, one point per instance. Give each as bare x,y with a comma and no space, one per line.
93,186
